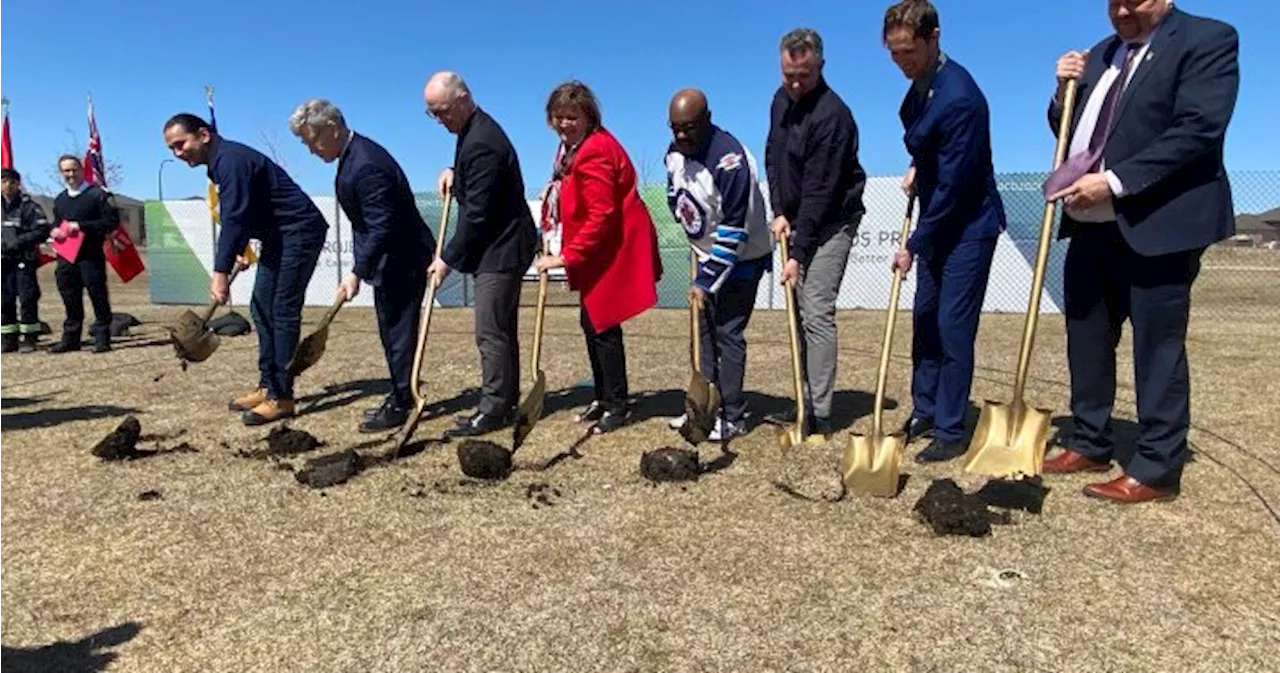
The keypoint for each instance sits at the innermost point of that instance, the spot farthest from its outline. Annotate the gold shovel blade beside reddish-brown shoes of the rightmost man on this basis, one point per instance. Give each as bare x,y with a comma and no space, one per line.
1007,445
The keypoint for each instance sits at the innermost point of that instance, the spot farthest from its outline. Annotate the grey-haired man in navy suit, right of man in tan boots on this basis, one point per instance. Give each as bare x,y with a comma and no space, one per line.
392,244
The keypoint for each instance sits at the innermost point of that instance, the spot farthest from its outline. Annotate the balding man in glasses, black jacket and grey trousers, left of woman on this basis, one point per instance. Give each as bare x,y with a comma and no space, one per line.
495,240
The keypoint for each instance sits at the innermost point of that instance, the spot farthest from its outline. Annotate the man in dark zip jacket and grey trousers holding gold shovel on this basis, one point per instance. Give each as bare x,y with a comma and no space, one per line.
816,189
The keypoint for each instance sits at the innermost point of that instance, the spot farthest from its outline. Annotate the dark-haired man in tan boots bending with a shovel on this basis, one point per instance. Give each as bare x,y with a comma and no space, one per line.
258,200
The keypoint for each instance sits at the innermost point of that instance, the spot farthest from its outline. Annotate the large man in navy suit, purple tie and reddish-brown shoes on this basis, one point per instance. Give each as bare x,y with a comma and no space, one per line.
1144,196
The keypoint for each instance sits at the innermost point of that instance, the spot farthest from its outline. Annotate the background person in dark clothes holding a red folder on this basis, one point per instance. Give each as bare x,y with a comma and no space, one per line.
90,210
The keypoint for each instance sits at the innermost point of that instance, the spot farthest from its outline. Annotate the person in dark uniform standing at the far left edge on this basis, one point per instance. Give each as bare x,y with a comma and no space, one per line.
22,228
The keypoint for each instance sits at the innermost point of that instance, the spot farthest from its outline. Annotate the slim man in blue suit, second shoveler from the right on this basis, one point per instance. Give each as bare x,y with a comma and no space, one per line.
962,216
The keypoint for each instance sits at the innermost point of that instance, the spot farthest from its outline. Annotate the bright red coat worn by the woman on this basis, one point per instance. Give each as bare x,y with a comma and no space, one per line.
610,242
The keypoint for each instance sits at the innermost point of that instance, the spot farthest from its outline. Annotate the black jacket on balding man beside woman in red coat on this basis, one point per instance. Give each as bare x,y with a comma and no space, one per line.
496,230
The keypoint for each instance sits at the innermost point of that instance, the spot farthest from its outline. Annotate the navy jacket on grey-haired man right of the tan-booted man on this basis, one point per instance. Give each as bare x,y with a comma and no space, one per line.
390,235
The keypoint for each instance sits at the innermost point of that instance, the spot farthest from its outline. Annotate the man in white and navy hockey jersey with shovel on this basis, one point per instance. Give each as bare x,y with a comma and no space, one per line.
715,193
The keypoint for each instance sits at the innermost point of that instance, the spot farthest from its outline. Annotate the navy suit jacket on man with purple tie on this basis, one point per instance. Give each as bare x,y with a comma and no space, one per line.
1167,140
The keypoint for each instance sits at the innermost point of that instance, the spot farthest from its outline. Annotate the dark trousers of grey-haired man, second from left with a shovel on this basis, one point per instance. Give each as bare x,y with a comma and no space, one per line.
399,305
